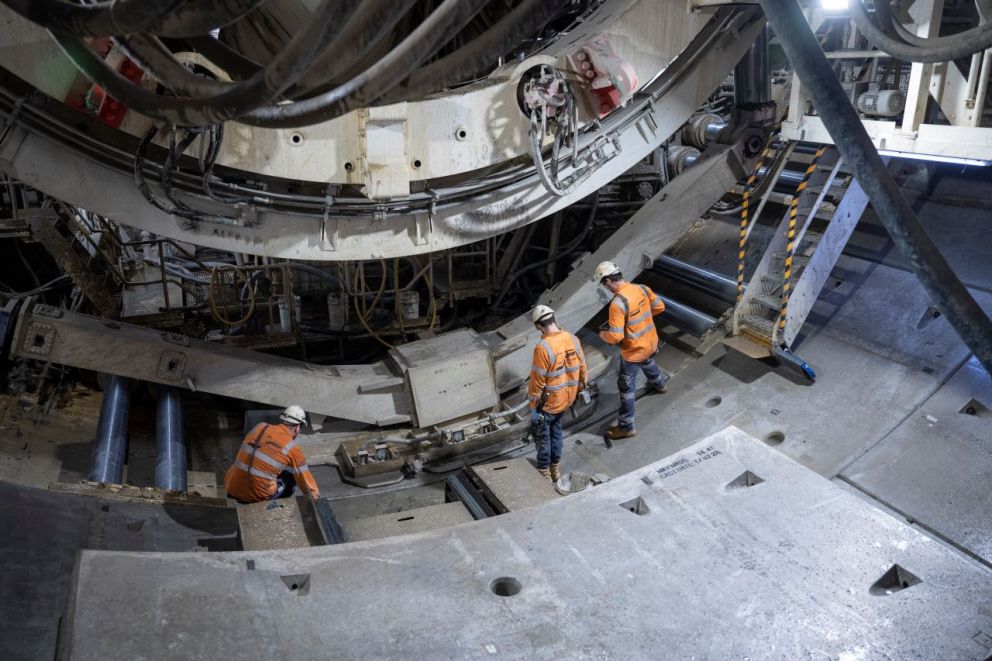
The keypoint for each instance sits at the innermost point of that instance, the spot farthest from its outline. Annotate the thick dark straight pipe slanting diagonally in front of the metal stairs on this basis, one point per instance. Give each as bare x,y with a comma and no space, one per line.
938,279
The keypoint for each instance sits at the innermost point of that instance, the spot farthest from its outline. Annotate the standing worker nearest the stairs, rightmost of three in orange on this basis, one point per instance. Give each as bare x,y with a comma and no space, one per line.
632,327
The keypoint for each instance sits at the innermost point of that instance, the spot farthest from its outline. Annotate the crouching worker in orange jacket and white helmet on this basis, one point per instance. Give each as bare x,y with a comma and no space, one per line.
269,463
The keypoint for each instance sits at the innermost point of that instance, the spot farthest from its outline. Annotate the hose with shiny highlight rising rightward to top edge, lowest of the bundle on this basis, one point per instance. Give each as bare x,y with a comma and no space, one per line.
364,89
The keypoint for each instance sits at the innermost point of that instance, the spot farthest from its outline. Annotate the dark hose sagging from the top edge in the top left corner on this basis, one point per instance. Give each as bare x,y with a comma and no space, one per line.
121,17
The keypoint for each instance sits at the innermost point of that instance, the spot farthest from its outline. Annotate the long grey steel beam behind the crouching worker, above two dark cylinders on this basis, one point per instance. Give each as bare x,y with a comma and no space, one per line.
364,393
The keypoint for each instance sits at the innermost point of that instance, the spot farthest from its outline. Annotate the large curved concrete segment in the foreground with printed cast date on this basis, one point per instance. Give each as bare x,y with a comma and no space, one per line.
725,550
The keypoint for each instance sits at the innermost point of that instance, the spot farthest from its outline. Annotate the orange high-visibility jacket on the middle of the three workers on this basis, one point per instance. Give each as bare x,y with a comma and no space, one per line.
559,365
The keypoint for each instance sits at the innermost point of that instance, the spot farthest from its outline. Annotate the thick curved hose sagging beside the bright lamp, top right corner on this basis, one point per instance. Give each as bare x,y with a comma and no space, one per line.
937,49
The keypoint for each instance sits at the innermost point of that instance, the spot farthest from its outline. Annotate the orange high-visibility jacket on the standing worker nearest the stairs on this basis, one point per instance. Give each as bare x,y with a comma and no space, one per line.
631,323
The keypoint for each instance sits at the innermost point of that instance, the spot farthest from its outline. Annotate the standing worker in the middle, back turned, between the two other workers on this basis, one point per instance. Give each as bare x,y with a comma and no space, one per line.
558,373
